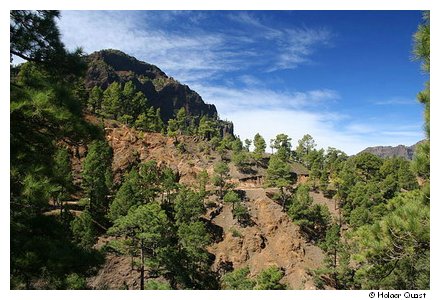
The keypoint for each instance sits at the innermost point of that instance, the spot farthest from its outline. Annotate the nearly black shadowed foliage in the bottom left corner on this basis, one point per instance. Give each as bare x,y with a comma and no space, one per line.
42,255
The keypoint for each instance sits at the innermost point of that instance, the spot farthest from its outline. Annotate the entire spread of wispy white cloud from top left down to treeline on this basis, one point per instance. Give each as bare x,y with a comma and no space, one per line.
220,63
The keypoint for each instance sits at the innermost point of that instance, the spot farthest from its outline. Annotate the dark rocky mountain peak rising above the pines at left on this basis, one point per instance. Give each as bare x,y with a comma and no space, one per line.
162,91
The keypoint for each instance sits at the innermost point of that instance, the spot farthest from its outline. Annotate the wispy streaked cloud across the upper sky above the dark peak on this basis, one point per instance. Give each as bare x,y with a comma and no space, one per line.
188,52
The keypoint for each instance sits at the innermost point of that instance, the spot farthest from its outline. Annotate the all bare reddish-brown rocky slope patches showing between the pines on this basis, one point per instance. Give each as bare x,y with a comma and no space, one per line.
271,238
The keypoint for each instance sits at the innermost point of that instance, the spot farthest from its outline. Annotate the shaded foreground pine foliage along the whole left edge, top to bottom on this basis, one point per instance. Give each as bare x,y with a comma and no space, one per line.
45,109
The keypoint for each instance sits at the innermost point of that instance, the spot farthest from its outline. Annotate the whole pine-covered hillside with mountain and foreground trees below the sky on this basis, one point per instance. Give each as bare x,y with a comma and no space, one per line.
123,178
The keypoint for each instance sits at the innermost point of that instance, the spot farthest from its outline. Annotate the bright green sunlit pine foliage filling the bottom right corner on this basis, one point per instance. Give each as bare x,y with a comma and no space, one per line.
393,252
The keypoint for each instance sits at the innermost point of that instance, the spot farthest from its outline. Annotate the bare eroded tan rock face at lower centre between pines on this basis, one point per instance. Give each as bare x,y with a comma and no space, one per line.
272,240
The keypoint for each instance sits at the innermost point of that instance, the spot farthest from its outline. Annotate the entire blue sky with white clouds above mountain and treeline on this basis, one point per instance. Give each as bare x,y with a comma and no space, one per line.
345,77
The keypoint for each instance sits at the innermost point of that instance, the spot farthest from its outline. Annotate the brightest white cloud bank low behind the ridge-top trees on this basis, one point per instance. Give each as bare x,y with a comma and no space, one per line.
327,130
